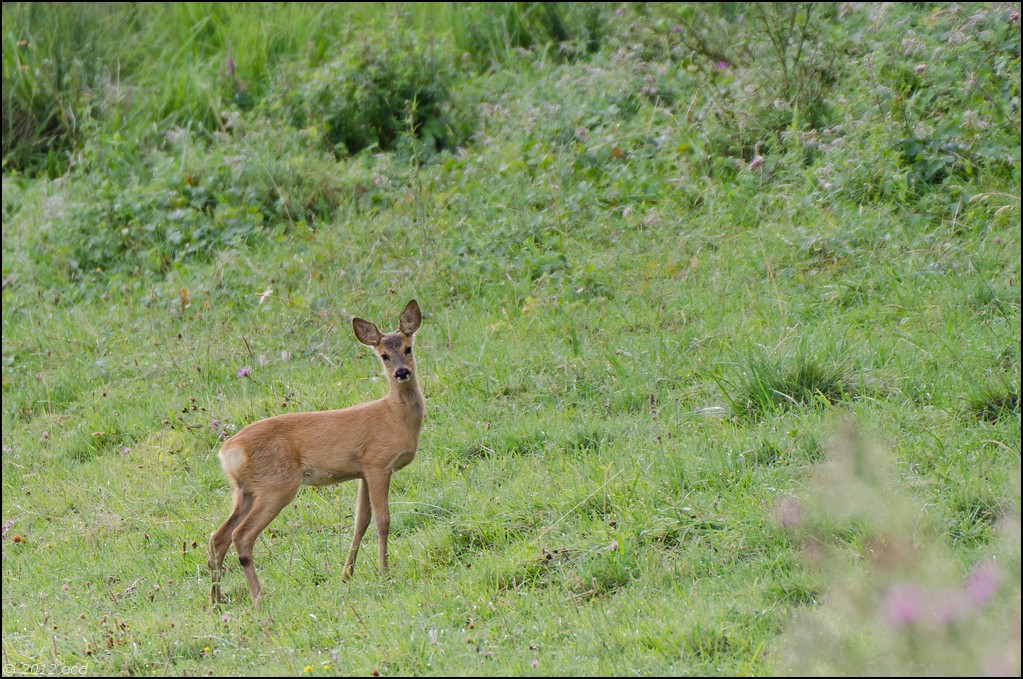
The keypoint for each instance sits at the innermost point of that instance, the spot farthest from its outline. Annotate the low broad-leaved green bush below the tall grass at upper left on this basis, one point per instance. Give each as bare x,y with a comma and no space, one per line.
132,211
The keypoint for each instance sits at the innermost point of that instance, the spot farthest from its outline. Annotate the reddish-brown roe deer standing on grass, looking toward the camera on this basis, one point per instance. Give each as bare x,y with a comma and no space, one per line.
269,461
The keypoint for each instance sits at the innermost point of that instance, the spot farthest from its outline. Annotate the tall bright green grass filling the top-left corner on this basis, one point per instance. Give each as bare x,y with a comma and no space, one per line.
142,70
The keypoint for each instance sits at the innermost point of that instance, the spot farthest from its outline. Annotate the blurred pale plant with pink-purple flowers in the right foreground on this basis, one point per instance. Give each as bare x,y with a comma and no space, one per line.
893,600
